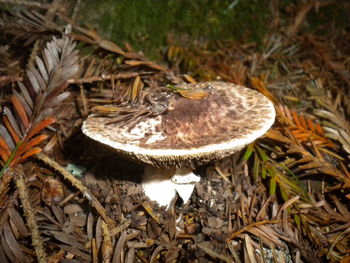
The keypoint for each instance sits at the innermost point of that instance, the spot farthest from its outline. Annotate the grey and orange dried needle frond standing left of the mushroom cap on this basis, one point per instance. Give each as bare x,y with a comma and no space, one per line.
34,103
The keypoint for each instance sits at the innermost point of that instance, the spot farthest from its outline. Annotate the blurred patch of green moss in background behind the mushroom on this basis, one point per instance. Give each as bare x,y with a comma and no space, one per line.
145,24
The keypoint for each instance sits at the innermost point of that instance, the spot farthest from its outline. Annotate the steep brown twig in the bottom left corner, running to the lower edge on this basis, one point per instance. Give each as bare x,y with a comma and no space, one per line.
29,214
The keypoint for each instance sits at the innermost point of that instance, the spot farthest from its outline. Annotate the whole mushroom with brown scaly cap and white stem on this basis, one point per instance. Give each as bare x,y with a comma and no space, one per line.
191,132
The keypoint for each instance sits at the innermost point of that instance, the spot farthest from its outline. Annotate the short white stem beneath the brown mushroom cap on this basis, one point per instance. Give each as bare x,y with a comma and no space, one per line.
161,184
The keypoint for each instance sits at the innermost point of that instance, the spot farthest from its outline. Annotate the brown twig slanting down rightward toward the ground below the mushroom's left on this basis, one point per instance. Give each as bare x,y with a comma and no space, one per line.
78,185
